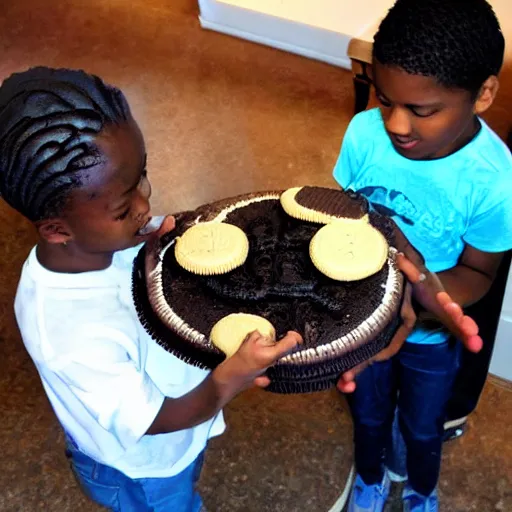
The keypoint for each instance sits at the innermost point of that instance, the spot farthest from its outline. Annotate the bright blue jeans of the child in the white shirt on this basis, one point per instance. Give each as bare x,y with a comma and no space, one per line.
112,489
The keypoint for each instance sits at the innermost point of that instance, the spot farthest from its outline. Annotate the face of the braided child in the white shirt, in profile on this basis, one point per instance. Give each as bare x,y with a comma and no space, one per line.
105,214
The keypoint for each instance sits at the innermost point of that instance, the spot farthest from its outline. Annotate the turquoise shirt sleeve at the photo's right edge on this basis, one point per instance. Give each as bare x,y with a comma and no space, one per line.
490,227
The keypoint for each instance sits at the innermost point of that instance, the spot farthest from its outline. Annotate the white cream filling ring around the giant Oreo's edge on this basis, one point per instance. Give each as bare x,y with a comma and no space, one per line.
347,343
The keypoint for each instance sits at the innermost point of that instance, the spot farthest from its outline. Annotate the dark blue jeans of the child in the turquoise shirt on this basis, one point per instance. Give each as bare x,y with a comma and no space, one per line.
417,381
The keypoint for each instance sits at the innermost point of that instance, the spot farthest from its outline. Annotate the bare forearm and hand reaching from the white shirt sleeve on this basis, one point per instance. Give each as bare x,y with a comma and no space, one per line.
231,377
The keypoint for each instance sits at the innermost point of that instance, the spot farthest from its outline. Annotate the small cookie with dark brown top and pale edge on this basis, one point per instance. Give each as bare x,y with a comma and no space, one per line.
323,205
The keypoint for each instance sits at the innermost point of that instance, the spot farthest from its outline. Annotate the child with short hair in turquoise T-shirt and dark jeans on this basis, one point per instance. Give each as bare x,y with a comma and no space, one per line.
427,159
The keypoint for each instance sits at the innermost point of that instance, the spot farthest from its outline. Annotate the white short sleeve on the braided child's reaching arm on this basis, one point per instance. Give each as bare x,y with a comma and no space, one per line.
106,376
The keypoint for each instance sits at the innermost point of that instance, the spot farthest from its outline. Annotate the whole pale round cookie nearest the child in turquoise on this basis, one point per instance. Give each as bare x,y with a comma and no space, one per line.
348,251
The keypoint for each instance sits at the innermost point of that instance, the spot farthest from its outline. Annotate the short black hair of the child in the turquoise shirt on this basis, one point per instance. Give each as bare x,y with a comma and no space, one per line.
457,42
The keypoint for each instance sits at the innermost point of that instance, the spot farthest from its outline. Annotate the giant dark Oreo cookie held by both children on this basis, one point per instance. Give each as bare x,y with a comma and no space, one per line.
342,323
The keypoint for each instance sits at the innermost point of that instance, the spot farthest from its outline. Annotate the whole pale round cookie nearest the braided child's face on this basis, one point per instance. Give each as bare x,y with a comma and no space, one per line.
211,248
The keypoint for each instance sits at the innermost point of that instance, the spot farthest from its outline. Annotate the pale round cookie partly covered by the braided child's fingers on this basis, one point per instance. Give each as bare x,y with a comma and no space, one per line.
230,332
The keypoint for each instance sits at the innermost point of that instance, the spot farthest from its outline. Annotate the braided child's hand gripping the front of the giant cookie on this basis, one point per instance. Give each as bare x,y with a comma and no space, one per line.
247,366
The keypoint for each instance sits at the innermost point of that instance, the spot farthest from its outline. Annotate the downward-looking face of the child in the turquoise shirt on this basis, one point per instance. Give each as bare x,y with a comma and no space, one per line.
423,119
